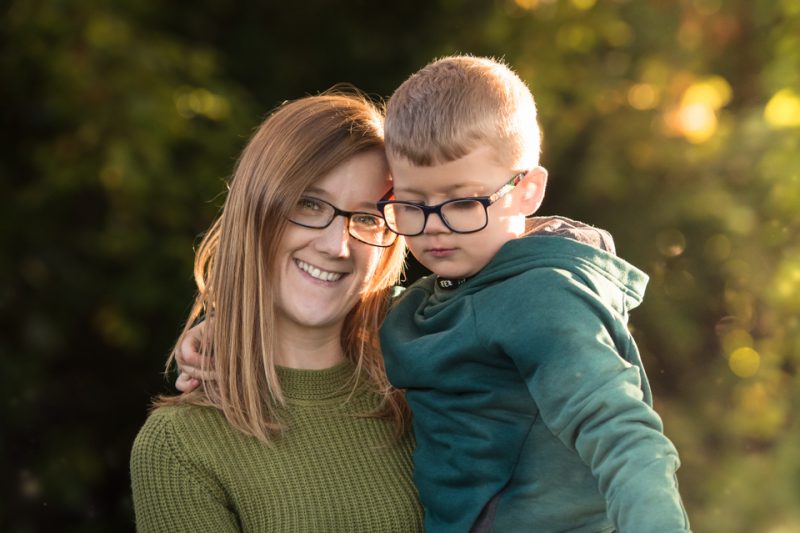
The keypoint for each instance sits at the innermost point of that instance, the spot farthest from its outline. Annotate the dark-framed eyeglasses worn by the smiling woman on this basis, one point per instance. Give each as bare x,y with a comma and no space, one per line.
369,228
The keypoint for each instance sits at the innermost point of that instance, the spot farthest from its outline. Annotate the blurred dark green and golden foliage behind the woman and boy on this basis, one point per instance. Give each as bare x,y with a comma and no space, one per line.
674,124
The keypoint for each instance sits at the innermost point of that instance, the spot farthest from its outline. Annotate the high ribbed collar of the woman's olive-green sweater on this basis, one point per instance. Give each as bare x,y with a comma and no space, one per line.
301,384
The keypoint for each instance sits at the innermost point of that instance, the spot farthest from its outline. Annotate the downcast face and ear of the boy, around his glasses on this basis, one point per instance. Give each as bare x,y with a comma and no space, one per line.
460,255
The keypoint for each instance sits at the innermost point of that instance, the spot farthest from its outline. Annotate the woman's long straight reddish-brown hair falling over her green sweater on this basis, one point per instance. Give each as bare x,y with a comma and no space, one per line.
296,145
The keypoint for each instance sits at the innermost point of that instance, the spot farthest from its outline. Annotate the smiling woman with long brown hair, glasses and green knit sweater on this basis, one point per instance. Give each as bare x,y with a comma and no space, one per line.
298,430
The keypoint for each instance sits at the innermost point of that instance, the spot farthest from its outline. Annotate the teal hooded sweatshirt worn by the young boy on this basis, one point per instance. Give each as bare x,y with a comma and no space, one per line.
531,407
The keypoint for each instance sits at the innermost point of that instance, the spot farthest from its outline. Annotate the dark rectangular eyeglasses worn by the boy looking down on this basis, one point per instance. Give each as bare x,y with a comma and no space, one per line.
460,215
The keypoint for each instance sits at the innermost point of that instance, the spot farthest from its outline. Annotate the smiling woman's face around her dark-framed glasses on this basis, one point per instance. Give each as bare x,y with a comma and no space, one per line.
321,272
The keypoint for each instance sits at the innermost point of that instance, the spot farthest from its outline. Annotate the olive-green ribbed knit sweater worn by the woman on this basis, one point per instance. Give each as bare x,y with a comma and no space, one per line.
330,471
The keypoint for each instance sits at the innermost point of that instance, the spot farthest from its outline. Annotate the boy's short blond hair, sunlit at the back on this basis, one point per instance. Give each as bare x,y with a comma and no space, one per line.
458,103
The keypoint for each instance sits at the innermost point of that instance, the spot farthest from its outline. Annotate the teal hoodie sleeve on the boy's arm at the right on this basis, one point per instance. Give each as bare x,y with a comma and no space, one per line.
573,352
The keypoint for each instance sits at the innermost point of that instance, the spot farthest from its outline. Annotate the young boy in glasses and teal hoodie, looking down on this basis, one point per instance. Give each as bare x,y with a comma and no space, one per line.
532,411
